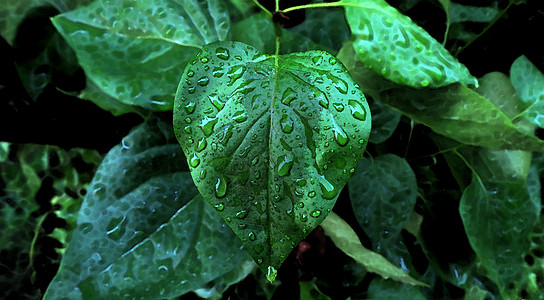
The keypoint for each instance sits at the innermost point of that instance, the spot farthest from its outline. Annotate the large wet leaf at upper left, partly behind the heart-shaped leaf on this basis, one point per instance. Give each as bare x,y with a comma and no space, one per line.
138,60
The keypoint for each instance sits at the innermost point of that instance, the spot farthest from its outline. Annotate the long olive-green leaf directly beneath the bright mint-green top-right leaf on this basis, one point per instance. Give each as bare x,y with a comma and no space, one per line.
456,112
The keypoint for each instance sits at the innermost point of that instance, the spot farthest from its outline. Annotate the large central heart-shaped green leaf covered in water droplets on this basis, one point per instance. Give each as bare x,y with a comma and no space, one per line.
270,140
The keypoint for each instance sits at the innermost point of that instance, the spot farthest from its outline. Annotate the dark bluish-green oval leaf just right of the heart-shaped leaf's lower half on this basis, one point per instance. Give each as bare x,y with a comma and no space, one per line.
383,193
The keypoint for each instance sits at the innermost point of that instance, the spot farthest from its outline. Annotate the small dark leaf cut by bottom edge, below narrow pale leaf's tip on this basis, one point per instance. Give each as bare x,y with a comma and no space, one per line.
387,289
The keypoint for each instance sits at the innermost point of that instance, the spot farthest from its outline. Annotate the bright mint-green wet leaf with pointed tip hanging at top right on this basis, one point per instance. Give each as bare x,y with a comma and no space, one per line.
392,45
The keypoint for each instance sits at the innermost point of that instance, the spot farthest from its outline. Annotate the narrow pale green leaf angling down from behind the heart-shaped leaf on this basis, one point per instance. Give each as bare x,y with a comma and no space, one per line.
347,240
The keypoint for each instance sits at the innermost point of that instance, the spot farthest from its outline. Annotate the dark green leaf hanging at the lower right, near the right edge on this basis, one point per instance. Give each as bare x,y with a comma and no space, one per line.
498,217
